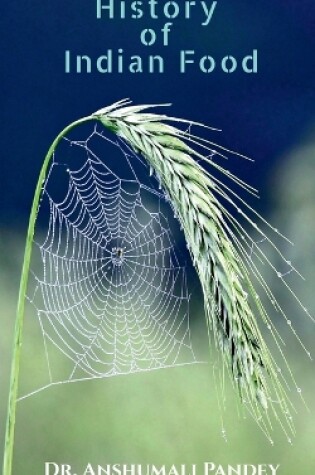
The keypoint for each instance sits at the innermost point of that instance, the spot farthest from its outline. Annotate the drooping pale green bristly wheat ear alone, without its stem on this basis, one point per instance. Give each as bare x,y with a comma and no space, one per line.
222,270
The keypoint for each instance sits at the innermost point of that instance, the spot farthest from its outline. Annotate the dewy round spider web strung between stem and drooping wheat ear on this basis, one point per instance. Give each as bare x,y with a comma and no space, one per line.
110,287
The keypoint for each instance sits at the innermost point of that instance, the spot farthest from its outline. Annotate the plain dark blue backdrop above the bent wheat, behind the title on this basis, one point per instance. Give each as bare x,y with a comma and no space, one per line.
261,115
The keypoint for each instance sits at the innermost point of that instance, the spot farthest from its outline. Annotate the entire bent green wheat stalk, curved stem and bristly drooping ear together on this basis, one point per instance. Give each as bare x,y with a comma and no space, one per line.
218,245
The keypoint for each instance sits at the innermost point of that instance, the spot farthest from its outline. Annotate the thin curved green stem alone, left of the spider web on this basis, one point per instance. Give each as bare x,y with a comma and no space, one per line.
15,368
